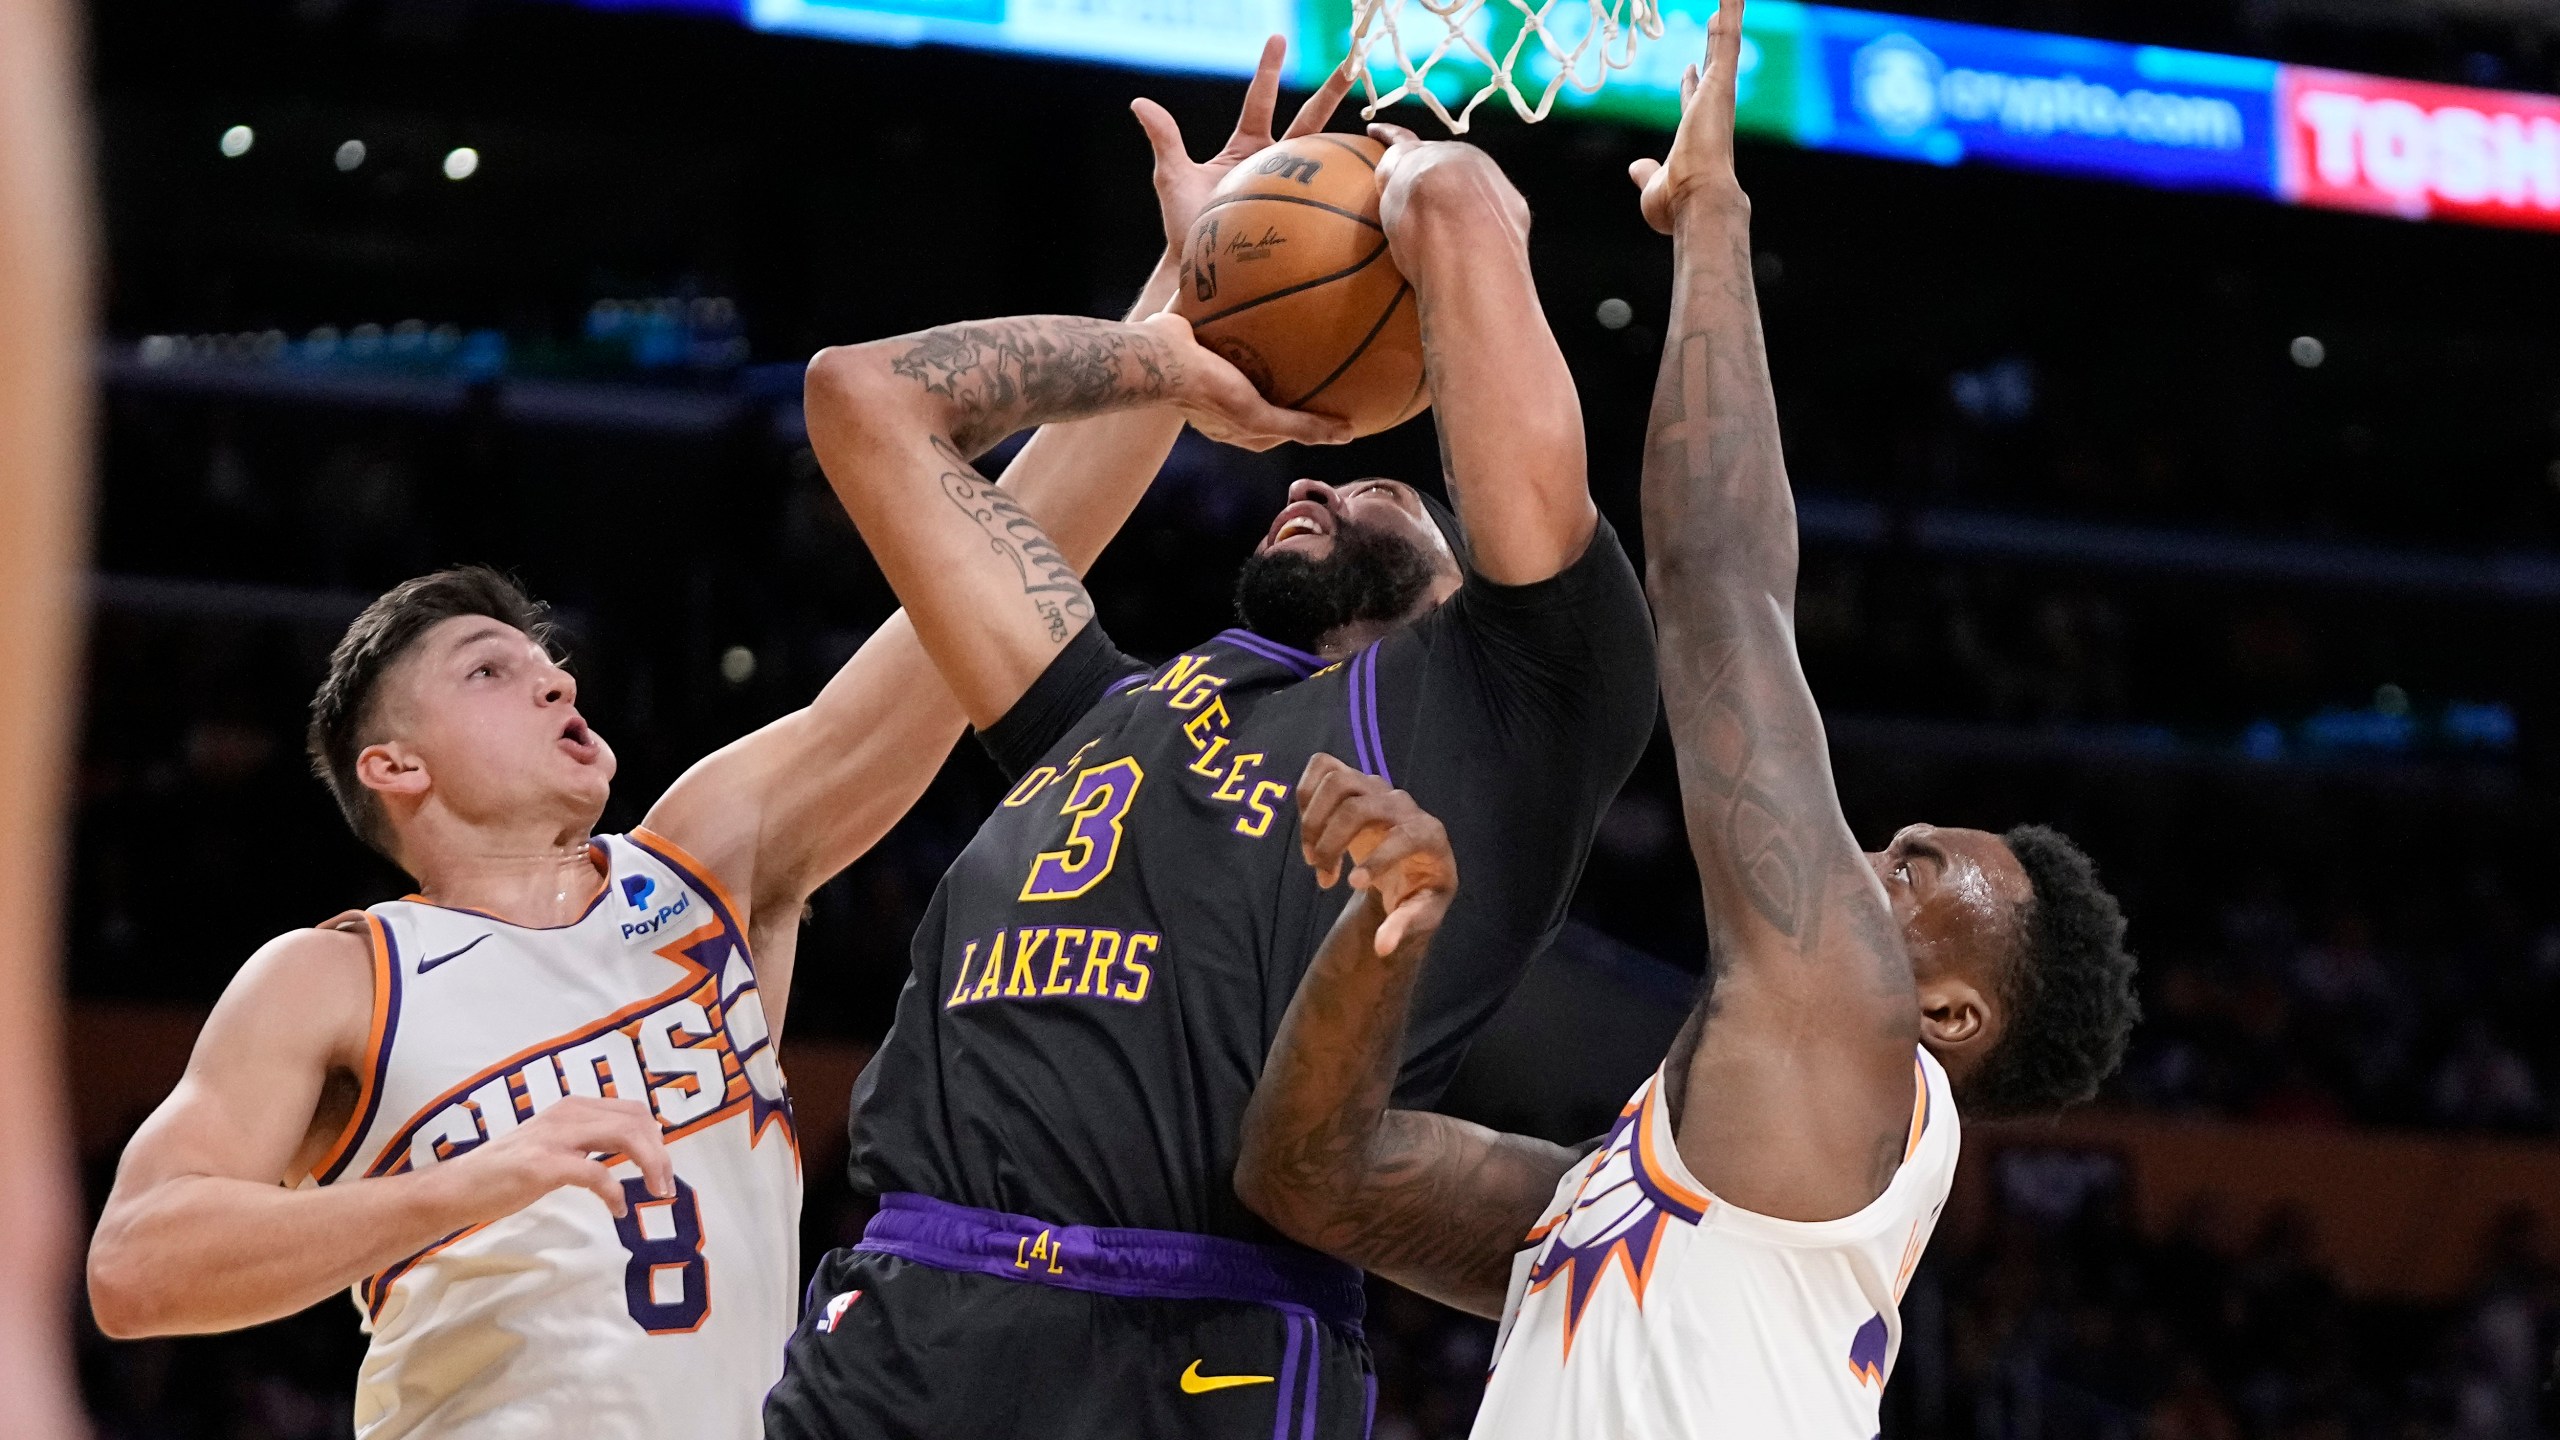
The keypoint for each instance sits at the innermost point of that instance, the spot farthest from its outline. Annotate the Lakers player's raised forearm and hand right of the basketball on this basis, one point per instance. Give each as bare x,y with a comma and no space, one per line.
1507,409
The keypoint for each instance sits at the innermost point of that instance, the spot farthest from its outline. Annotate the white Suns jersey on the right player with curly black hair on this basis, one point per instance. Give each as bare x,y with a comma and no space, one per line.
1650,1311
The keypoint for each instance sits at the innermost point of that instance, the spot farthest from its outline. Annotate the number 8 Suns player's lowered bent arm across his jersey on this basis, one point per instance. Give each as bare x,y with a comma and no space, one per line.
206,1229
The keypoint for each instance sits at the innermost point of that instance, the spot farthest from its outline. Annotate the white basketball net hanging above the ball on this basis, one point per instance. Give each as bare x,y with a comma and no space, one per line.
1565,32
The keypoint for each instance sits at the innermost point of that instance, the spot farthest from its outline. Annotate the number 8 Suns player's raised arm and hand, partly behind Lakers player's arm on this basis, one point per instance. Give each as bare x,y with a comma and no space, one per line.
782,811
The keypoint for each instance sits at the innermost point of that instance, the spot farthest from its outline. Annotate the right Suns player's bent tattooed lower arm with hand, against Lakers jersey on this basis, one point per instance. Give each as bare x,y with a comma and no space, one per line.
1432,1203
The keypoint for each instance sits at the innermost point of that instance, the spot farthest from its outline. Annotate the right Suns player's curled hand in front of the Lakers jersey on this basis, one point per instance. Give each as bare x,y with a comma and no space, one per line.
1394,847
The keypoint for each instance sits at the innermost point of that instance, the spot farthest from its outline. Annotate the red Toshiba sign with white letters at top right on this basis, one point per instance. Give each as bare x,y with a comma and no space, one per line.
2359,142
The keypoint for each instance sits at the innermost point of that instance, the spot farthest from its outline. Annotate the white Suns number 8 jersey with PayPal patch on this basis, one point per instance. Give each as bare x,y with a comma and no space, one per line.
562,1321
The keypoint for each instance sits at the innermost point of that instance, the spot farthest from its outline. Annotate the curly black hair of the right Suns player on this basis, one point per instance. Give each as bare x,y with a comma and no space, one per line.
2067,988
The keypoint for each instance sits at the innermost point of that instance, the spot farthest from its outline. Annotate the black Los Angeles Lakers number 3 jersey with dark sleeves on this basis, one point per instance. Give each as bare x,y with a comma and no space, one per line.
1102,972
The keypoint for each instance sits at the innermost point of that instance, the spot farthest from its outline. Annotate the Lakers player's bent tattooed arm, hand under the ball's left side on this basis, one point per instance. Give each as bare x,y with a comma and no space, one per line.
897,421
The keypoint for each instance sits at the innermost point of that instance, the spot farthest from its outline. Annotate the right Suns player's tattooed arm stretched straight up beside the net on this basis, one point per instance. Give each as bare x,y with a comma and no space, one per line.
1798,1093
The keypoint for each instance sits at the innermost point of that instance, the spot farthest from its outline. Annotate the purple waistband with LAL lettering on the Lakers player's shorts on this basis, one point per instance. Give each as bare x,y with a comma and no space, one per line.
1158,1264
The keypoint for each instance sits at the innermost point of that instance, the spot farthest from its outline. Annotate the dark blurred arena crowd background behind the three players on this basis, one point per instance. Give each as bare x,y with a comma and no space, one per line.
2218,532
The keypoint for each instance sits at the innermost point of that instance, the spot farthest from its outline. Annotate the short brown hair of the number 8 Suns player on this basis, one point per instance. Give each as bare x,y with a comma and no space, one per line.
344,706
